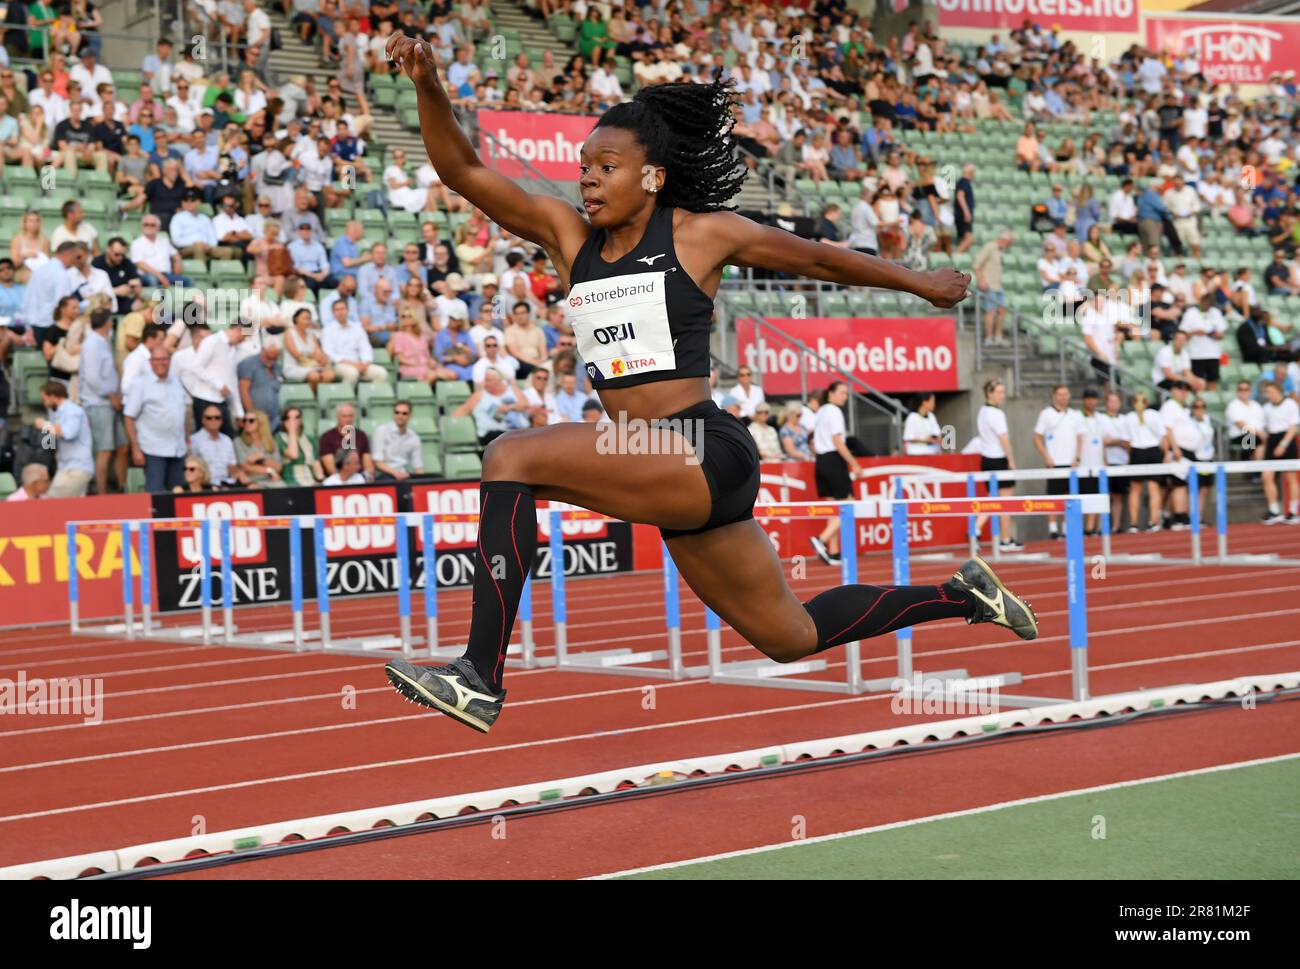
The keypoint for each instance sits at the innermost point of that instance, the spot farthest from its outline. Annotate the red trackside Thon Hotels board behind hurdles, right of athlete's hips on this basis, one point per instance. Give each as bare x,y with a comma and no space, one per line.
795,481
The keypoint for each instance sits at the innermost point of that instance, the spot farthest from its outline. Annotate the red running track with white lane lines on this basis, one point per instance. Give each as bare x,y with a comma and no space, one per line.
236,738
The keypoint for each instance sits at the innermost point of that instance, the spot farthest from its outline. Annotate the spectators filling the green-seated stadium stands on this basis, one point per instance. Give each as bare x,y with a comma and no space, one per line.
236,170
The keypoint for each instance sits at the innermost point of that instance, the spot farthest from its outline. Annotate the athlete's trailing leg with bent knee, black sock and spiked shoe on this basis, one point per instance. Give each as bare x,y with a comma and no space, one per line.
736,572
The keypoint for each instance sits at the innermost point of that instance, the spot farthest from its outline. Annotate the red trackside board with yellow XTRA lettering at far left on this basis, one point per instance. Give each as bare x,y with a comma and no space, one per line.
34,566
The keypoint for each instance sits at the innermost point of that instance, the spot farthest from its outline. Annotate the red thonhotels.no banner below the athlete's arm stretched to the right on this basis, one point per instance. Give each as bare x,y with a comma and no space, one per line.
891,354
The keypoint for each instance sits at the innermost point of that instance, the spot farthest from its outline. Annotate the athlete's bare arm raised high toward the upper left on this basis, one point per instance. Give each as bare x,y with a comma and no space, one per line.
549,222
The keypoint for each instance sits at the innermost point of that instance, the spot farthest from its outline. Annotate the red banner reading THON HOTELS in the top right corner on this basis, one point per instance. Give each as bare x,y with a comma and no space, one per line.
1230,51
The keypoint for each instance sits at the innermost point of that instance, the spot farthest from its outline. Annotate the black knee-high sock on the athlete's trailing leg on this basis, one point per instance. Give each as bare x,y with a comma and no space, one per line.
861,612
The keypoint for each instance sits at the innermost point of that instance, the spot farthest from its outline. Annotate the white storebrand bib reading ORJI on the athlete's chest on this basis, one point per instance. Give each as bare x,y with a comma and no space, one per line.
622,326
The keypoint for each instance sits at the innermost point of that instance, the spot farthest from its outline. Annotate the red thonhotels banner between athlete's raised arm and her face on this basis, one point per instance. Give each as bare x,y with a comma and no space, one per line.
551,144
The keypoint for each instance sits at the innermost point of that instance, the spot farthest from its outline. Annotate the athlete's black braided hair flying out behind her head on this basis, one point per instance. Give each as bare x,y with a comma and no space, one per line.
687,129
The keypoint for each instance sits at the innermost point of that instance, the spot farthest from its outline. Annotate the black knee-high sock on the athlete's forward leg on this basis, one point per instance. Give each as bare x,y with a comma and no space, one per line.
508,539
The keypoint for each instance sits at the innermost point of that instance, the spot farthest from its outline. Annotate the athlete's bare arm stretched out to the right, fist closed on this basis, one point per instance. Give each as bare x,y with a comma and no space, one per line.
762,246
